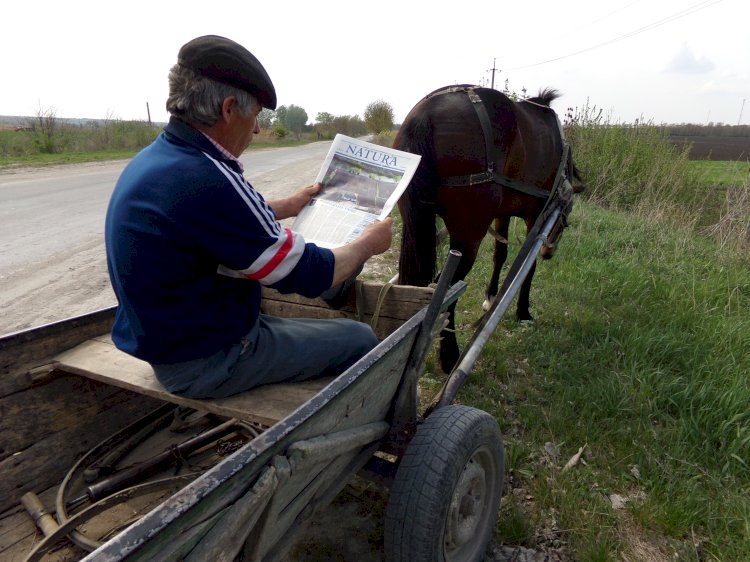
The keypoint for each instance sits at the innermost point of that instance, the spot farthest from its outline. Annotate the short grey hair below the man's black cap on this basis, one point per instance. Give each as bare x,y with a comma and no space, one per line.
198,100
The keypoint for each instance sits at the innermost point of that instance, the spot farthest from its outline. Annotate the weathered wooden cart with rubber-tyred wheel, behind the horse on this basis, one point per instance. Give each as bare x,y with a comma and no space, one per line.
69,398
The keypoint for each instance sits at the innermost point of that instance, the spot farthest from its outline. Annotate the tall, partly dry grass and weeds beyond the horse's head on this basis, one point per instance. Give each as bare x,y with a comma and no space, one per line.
634,168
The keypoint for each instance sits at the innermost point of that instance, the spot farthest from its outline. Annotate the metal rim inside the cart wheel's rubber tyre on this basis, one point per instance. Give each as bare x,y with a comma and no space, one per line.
467,512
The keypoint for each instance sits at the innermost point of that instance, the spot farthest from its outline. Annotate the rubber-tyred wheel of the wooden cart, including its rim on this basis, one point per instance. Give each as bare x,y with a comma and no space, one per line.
446,494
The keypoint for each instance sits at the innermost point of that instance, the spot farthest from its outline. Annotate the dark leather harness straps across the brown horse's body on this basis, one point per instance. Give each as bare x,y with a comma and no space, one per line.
492,156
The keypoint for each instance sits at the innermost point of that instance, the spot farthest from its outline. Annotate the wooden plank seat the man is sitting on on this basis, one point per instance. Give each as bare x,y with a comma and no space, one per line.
100,360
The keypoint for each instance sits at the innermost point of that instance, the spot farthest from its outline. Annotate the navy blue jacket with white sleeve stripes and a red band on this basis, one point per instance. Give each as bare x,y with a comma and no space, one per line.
189,242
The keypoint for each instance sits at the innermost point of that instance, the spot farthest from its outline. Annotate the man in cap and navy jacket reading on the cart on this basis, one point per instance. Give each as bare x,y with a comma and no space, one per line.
190,242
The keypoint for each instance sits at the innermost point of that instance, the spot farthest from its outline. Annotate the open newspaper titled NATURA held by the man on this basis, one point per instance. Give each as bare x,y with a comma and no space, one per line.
360,183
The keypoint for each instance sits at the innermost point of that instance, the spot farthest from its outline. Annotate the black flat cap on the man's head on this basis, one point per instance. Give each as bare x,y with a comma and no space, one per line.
224,60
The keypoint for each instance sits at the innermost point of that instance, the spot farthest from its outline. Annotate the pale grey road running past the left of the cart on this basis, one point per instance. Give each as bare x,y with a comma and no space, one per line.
52,261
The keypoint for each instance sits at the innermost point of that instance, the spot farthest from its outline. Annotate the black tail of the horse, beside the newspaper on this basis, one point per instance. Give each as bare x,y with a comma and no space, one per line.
417,262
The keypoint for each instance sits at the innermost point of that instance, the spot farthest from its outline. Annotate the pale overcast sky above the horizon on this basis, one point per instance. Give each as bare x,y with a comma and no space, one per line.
670,61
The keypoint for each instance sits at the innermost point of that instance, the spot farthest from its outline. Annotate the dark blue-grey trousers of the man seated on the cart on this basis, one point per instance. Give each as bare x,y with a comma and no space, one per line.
275,350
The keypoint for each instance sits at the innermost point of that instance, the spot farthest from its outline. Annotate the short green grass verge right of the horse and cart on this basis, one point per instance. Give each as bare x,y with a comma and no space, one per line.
640,353
